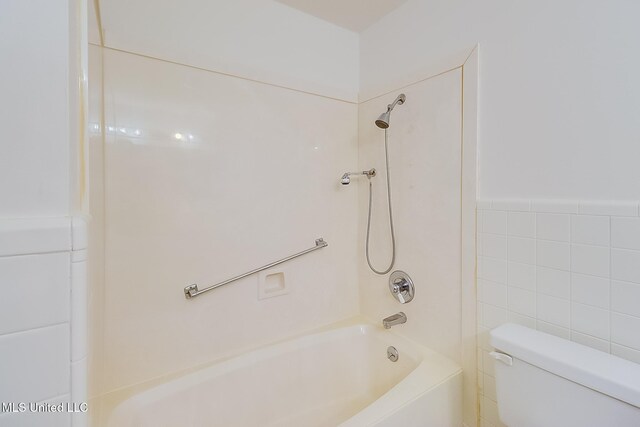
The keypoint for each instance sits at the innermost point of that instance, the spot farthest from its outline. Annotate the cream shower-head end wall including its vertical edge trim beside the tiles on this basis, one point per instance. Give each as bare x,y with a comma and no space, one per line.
432,169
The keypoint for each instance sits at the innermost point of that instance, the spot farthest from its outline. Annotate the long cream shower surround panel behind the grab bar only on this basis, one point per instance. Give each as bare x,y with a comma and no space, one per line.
209,176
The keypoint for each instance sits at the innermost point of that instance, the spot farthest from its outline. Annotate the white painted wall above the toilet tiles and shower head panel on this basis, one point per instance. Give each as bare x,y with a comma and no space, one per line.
558,98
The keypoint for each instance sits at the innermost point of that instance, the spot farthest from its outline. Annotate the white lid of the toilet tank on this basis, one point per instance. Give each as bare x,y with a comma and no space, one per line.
603,372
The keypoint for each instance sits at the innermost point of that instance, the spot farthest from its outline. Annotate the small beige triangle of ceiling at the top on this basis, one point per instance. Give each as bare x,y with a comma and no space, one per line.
354,15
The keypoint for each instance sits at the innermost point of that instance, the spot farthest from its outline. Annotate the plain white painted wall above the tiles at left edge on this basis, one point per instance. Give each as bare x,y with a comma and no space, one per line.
34,112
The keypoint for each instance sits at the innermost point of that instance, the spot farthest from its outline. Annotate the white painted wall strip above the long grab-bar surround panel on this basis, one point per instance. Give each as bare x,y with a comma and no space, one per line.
256,39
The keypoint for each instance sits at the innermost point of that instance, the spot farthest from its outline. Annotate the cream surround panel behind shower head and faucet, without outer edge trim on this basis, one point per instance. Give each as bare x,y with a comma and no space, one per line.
425,141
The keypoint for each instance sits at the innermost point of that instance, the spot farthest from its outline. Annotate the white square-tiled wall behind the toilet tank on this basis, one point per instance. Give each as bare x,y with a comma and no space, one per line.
568,268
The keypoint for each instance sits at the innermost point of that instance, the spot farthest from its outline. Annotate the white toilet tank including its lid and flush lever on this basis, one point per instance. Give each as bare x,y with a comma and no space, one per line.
546,381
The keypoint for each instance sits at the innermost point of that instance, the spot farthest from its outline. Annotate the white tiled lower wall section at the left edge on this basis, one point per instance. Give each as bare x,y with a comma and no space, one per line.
43,344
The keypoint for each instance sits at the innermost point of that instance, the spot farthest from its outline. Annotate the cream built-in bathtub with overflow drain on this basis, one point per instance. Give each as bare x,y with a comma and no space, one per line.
338,377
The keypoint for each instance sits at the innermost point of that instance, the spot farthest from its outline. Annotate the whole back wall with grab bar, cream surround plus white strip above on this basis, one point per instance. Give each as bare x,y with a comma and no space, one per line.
213,168
